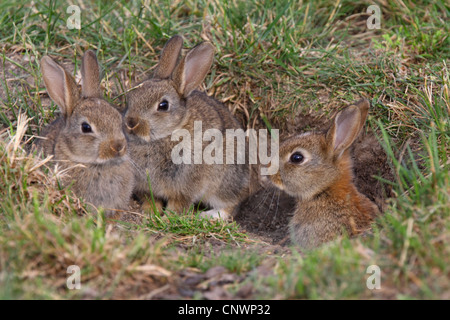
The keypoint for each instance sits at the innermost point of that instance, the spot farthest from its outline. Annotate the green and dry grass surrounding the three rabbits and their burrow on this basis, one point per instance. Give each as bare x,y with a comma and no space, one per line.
274,61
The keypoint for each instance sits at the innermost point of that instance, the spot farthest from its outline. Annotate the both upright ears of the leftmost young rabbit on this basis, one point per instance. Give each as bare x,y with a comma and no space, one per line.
61,85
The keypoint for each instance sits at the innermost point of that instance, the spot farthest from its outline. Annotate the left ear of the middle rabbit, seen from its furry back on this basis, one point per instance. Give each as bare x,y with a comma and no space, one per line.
169,57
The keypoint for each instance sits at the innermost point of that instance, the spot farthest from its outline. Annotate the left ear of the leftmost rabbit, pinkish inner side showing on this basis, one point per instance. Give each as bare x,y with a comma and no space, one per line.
60,85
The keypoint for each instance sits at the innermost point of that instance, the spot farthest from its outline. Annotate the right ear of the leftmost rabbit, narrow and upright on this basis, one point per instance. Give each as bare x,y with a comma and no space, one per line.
90,76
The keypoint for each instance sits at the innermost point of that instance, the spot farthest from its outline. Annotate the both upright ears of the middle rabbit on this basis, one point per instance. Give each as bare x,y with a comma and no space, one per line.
187,72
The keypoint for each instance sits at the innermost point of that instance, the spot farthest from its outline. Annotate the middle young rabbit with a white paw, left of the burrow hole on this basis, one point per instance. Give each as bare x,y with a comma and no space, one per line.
168,103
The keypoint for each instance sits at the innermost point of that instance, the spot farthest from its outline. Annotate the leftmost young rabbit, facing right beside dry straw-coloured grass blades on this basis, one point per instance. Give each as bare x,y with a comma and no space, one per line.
87,139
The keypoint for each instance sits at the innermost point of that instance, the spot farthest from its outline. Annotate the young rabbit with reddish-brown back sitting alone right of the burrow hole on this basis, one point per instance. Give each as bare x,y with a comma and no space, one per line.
316,168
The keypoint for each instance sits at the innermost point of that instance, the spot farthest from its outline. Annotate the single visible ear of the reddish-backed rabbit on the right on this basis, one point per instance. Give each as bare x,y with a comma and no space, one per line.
346,127
